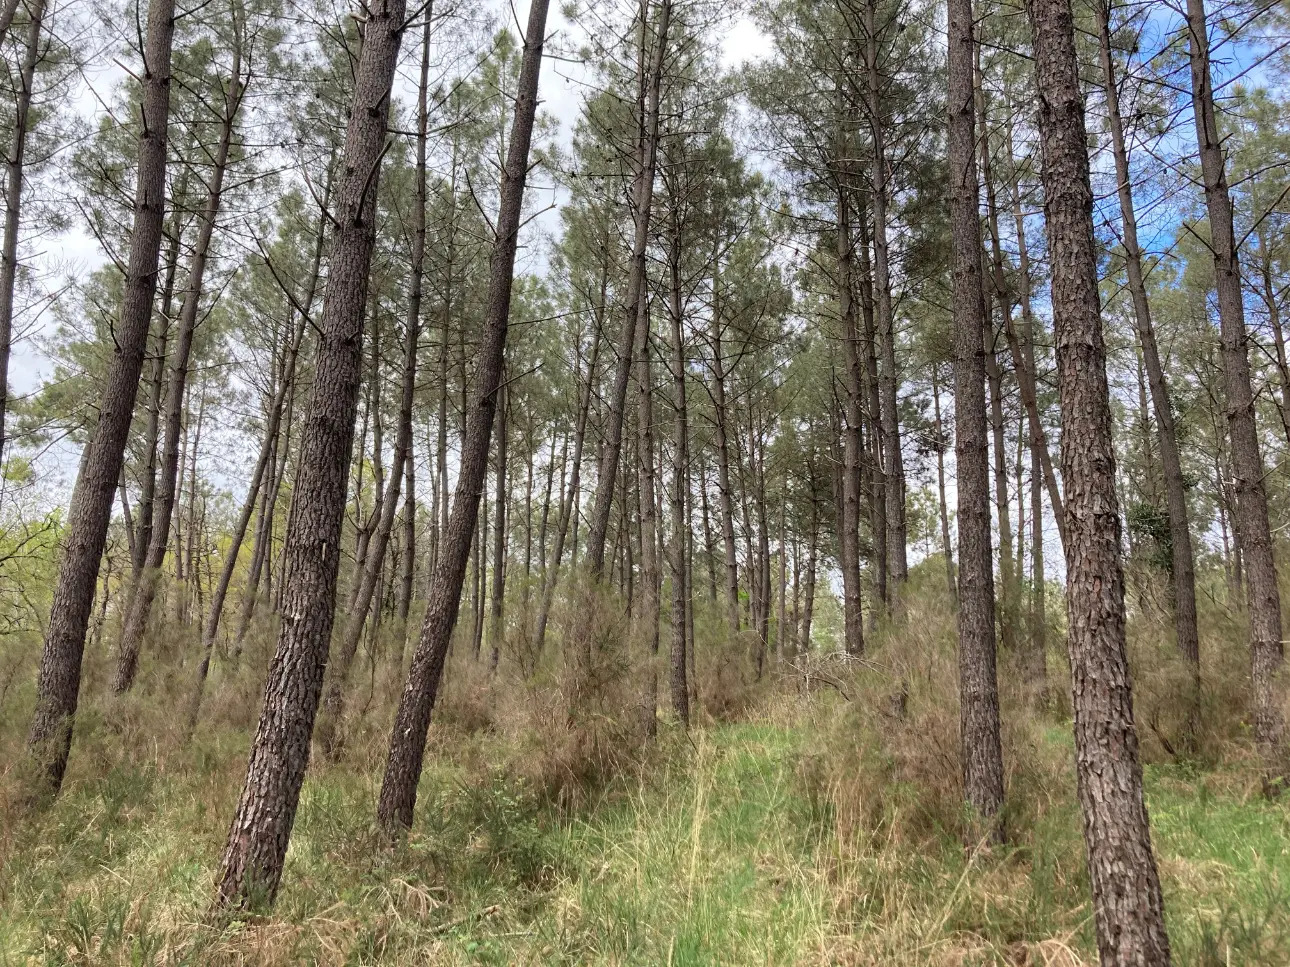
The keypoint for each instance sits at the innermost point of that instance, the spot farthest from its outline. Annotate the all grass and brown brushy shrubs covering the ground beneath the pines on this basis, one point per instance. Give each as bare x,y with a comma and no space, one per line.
812,818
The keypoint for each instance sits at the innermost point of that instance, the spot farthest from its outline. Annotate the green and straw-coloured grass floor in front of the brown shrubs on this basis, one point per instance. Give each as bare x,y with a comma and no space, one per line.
754,843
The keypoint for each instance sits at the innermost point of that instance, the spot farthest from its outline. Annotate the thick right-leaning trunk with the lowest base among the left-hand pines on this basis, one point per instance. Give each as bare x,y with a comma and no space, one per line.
252,866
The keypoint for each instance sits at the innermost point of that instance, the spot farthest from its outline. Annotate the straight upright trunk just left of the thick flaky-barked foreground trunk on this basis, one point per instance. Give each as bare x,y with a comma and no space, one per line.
978,684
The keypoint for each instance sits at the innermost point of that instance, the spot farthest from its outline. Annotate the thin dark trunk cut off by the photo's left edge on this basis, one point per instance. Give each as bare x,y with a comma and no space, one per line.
14,193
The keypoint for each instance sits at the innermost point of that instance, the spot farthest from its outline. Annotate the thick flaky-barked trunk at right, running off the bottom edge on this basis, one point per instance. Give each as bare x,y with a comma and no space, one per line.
1128,910
